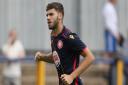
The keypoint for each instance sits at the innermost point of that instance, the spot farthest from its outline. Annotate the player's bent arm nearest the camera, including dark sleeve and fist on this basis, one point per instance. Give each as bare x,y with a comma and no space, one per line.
78,46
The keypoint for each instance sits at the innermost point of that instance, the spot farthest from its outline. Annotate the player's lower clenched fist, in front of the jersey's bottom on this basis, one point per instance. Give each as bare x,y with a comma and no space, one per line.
66,79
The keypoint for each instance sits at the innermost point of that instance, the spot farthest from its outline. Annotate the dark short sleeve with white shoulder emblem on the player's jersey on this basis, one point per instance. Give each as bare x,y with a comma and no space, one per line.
75,43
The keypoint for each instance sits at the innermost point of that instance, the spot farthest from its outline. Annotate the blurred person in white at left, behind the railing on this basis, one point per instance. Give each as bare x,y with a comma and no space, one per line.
13,51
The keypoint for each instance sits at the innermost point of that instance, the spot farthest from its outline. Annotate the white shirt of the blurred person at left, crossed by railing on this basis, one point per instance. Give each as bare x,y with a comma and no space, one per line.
12,69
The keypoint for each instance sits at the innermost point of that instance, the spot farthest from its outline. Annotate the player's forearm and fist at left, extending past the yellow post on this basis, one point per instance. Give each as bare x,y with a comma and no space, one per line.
44,57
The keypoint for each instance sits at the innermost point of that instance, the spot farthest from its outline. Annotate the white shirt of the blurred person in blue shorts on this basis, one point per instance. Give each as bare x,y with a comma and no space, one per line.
110,18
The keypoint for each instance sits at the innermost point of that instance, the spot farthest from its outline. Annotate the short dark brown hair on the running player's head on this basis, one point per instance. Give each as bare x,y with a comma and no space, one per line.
57,6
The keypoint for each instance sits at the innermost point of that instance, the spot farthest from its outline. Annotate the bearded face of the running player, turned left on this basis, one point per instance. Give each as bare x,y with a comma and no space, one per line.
52,18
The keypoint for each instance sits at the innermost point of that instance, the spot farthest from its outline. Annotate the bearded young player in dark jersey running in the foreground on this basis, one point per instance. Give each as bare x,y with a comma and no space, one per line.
66,48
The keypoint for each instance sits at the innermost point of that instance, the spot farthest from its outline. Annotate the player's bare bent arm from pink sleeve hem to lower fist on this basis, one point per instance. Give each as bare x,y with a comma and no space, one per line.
68,79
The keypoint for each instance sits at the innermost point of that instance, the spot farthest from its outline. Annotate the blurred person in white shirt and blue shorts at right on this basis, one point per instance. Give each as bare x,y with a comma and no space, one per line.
112,34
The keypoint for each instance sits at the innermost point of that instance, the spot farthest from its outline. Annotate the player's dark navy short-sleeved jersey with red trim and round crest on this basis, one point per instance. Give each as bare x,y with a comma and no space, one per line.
66,49
